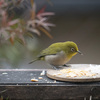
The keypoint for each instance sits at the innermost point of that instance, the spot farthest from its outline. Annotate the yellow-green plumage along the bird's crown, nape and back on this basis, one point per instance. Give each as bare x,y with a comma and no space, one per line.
57,47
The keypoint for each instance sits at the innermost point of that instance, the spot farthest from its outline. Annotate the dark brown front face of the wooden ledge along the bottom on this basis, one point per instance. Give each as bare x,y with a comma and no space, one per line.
48,92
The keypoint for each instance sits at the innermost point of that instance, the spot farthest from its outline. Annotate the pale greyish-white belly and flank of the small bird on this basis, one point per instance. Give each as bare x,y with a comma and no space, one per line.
57,60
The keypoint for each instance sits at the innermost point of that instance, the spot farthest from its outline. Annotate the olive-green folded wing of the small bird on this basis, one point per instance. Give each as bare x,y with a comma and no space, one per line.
51,50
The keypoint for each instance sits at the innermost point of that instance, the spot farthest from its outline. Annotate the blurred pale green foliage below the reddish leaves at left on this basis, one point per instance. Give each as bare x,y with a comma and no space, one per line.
14,55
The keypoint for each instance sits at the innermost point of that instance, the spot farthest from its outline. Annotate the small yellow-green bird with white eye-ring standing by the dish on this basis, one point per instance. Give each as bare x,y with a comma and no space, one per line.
58,54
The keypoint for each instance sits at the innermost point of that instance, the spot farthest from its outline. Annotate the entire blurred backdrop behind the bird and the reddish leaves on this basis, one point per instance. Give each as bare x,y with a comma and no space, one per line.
75,20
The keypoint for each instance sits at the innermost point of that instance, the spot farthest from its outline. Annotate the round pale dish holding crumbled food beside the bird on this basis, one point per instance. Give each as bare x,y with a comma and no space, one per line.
92,73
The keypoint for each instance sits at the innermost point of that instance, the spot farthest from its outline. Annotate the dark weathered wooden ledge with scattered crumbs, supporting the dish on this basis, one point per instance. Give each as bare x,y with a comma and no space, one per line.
17,85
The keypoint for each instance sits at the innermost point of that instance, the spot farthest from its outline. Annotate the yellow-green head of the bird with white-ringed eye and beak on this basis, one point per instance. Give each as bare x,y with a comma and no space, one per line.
71,48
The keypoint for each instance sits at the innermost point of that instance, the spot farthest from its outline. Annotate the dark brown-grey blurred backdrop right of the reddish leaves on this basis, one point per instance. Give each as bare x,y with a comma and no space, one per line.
78,21
